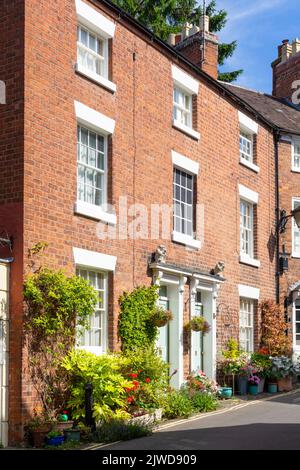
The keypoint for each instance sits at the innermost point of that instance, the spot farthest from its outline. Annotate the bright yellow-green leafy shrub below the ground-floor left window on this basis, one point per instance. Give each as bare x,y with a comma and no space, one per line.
104,372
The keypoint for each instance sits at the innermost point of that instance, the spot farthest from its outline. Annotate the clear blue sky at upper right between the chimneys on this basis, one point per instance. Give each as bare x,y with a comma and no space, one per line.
259,26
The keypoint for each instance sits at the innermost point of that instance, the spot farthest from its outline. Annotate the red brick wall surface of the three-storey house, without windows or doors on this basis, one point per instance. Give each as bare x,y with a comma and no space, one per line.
39,168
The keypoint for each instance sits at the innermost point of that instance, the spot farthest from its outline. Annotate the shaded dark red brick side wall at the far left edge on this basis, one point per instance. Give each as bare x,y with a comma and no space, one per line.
11,186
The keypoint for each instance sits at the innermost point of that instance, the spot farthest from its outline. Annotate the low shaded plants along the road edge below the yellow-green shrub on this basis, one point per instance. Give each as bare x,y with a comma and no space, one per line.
120,430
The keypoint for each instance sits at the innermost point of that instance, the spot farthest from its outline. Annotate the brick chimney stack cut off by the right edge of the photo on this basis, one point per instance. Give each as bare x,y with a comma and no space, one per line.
286,69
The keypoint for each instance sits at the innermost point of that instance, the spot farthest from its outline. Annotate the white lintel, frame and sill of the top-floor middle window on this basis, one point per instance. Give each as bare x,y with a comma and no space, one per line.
187,85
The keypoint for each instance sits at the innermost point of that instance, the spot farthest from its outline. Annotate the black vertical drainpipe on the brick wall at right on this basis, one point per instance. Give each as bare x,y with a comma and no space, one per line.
277,210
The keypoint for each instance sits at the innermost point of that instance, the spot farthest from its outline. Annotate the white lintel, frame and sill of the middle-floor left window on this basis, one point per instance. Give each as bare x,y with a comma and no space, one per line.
104,126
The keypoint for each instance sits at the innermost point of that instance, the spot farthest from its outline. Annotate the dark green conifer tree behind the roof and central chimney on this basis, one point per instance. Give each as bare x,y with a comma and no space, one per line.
168,16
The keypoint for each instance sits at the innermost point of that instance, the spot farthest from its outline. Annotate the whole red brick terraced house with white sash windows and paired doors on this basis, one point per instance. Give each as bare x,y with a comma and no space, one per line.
128,157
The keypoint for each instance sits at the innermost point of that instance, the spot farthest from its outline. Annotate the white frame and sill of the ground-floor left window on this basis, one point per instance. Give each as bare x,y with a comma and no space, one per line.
98,350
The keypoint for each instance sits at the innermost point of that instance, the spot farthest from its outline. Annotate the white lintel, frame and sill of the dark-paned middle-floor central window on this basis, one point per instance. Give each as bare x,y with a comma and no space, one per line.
185,165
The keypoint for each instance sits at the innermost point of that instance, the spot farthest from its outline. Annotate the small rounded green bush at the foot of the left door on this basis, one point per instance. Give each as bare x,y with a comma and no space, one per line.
177,404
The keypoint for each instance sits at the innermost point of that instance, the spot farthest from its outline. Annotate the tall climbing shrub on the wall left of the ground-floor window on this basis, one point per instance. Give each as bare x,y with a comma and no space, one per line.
55,304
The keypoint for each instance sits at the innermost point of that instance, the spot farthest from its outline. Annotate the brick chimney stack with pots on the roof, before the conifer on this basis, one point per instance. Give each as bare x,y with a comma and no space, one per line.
198,45
